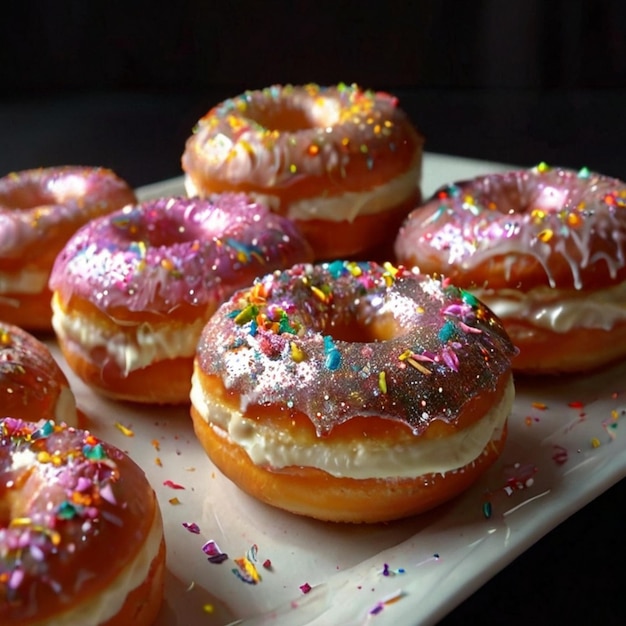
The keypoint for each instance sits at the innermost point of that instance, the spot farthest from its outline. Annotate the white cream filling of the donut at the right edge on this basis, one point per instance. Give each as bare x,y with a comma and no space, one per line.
557,310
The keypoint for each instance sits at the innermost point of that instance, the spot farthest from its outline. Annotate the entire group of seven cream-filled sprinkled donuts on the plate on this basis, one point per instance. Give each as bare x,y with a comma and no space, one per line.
347,348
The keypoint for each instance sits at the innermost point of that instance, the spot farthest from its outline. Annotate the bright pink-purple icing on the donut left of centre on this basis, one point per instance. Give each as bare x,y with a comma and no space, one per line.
156,255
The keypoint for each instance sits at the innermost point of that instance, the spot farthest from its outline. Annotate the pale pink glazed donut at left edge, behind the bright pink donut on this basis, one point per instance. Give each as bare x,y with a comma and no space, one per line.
39,210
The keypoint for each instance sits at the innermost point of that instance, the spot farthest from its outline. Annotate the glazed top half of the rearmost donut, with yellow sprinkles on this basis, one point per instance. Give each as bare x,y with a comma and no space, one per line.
296,142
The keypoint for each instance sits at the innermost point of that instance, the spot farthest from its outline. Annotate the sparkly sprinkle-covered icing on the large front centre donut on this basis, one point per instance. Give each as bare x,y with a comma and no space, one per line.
279,343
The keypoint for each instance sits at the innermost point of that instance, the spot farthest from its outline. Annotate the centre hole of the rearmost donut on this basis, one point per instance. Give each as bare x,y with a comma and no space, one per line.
290,116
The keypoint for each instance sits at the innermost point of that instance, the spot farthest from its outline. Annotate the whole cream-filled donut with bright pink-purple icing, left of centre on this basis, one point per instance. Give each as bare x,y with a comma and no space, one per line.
132,290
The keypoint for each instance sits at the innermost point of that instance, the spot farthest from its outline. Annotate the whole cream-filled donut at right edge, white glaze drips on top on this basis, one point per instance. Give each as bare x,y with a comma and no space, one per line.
545,249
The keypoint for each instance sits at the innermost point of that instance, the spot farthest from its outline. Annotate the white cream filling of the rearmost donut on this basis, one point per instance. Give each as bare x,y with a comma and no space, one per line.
347,206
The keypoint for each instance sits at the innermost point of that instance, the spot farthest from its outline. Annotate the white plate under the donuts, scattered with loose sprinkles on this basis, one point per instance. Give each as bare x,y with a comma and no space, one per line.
564,449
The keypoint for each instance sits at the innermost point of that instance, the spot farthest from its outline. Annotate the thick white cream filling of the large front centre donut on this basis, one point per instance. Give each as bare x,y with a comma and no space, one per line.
359,459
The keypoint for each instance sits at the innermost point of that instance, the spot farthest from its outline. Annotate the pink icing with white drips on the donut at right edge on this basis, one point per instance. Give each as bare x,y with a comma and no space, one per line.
568,222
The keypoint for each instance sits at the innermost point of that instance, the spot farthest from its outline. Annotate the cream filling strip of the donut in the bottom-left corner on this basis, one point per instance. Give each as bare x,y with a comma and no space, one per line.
111,599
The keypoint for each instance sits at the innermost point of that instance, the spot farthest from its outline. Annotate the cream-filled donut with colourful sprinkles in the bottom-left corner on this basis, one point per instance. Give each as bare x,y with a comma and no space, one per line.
81,536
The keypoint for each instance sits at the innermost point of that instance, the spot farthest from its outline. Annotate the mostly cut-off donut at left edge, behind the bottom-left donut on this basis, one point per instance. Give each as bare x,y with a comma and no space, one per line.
31,381
